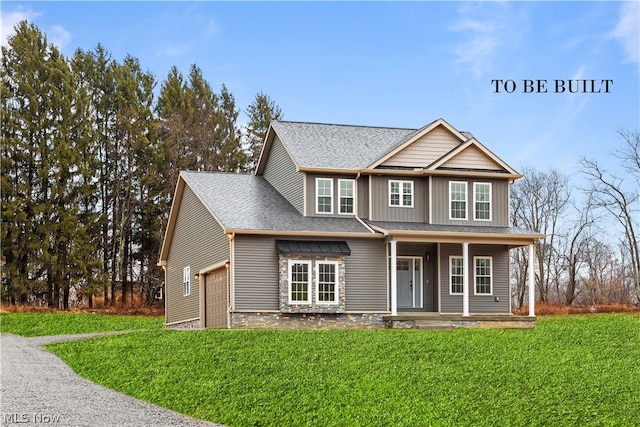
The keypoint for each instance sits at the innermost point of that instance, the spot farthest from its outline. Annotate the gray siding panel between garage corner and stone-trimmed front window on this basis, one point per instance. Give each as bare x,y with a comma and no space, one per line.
256,273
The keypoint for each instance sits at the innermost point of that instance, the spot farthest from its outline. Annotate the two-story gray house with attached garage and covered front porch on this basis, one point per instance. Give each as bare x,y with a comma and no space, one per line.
347,226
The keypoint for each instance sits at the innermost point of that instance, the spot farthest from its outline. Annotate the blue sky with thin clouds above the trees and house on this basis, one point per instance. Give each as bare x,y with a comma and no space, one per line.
395,64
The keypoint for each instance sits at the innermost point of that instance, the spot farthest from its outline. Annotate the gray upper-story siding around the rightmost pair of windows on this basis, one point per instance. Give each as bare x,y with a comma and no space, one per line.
499,202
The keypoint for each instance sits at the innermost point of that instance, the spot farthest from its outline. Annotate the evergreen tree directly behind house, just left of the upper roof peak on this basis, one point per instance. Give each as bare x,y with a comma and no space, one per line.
261,113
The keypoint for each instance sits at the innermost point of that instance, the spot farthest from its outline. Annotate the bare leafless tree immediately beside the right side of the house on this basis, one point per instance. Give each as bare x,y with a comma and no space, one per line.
537,203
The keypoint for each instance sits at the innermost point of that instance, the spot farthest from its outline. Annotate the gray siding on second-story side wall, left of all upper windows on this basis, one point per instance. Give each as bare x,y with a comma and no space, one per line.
281,172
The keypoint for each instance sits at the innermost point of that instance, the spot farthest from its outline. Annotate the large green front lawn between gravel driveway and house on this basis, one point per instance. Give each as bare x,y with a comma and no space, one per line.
578,370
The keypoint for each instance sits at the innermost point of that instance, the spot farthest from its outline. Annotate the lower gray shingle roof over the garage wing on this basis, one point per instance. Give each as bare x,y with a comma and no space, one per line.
249,202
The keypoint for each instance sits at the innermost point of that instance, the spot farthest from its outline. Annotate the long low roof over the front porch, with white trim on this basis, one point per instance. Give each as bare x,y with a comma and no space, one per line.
437,233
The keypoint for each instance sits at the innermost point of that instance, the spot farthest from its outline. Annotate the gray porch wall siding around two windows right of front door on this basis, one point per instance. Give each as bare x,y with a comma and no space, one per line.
477,303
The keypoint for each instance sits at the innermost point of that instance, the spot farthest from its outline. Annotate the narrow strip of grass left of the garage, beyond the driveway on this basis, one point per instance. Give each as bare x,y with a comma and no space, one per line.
62,323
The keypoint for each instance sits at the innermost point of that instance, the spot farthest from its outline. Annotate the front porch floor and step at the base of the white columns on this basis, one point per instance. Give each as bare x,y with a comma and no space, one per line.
436,321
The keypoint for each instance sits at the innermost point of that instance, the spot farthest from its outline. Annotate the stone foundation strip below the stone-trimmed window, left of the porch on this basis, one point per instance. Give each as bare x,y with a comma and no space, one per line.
306,321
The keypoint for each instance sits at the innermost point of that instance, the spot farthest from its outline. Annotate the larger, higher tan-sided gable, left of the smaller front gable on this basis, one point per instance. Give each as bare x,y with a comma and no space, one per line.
424,150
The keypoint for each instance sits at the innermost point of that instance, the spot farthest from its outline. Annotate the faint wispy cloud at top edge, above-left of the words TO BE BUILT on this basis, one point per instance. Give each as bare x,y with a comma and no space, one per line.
486,29
